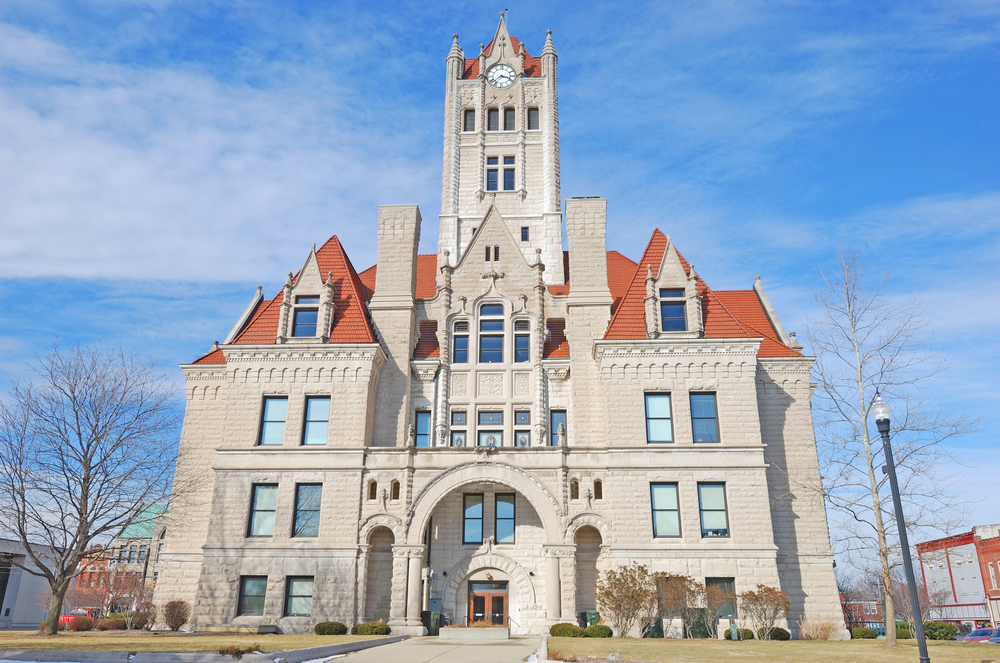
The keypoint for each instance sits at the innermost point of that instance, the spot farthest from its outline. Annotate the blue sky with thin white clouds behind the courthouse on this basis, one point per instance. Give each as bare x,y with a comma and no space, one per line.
158,160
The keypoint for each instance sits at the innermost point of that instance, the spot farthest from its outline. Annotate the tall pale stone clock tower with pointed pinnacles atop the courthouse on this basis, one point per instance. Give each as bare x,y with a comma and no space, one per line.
501,150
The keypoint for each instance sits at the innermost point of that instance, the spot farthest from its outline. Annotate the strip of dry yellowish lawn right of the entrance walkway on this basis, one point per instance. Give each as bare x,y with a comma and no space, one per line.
799,651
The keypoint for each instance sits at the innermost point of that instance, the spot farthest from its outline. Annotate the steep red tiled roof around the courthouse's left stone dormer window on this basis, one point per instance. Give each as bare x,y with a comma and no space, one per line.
350,319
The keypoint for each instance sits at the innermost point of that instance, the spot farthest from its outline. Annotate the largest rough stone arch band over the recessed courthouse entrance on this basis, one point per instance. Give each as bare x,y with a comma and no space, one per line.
541,499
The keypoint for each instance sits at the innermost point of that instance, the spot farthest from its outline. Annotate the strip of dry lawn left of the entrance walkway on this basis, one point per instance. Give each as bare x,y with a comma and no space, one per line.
135,641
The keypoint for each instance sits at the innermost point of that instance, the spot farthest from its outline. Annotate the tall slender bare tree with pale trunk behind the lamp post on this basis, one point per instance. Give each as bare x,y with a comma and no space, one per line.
869,343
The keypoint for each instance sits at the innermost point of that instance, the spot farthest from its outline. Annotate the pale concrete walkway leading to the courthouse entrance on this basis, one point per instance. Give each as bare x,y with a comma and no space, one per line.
431,649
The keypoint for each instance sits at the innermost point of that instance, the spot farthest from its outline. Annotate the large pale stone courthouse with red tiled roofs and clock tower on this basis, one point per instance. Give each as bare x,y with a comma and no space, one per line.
484,430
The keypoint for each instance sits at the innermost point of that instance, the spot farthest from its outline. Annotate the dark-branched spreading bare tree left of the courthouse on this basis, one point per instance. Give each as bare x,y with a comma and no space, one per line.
82,446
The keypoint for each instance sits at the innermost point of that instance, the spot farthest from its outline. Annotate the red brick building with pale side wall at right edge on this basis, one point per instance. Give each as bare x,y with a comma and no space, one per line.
961,576
